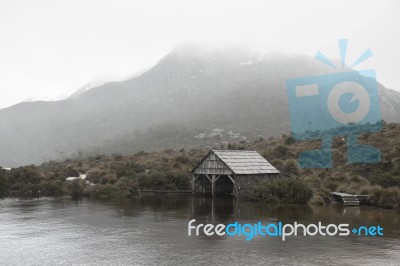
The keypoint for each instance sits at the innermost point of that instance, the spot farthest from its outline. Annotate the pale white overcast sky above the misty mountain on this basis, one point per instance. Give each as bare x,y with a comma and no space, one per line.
50,48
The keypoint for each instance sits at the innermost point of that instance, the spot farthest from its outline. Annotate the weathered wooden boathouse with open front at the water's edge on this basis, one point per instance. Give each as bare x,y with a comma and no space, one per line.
230,172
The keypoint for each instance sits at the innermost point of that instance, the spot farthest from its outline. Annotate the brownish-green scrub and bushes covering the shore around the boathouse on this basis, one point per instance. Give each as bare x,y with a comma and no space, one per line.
123,175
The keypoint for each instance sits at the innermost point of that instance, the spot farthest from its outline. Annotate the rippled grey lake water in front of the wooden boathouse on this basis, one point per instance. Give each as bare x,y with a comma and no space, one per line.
152,230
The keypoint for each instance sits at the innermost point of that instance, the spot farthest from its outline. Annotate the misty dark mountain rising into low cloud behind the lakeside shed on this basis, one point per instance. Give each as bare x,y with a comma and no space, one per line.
192,90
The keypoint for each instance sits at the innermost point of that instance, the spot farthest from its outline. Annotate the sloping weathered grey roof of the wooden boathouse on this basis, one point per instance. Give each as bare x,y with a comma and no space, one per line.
245,162
